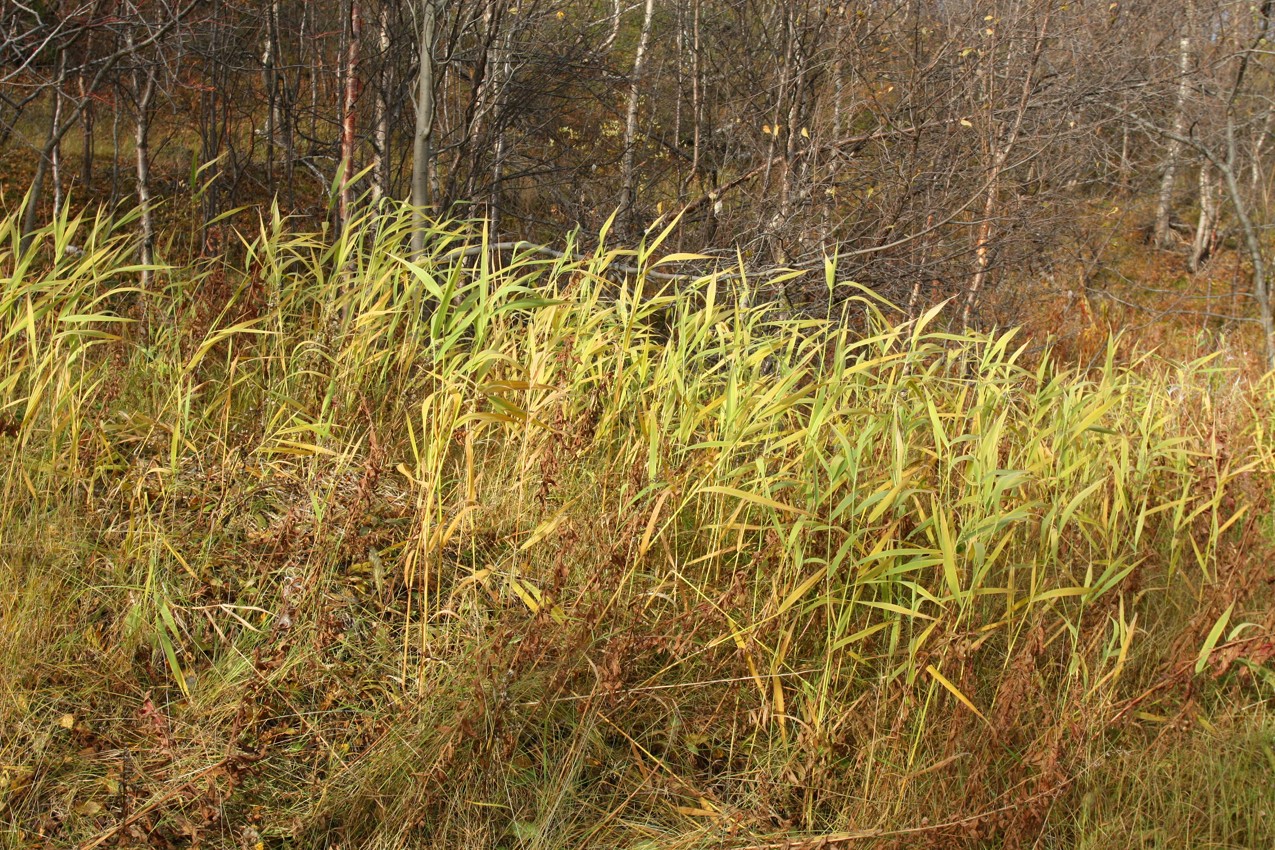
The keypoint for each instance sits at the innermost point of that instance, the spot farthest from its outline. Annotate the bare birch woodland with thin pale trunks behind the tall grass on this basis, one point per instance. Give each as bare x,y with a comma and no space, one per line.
938,150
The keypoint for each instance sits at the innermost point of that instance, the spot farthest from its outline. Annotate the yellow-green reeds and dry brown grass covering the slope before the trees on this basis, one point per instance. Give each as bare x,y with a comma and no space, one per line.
342,549
